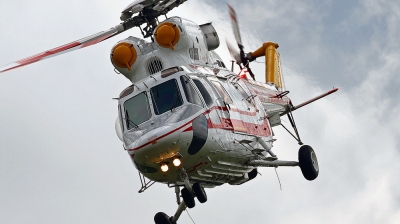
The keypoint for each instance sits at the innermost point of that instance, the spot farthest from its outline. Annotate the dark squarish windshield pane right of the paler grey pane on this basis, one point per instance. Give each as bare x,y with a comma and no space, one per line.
166,96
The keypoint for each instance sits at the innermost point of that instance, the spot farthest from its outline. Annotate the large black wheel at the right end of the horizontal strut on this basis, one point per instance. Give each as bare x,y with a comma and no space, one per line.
308,162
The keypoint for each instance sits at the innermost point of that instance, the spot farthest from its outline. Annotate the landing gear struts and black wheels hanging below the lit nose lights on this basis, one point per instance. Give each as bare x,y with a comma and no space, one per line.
188,193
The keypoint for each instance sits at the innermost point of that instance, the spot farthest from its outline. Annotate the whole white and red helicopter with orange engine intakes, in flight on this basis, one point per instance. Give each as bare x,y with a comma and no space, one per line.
187,120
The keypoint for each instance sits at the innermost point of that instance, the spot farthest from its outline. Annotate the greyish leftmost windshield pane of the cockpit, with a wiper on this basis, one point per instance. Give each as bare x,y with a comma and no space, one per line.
136,110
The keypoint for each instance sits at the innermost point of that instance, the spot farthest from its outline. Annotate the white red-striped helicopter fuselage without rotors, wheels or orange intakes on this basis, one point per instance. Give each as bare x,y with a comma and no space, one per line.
184,104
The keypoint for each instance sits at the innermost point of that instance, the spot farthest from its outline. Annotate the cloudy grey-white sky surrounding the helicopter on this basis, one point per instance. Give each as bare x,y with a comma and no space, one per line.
61,161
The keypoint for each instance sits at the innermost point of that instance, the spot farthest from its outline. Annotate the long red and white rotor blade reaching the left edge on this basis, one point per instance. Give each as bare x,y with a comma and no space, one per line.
81,43
